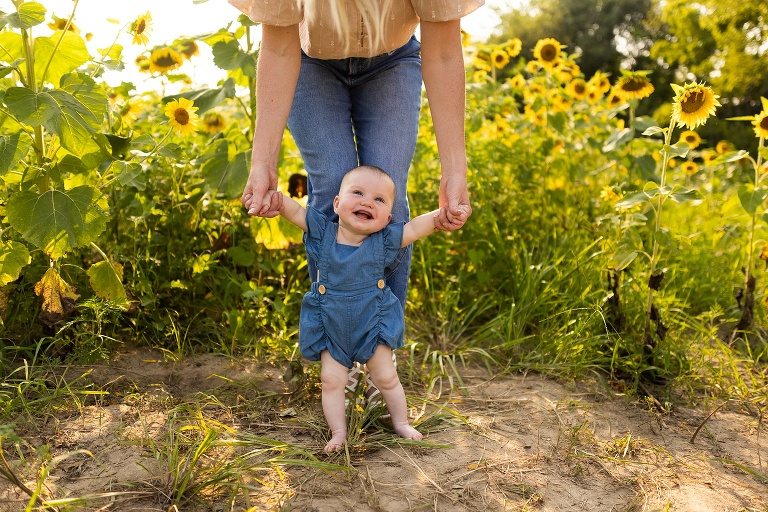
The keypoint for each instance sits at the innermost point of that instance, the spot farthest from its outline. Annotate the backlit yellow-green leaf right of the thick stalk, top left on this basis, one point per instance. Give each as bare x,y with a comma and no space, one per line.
70,55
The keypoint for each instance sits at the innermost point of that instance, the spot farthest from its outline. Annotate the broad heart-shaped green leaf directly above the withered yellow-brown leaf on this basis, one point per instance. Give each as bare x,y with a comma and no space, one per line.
58,221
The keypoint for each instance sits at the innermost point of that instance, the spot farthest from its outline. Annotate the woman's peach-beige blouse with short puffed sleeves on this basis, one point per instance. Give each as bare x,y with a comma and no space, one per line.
320,40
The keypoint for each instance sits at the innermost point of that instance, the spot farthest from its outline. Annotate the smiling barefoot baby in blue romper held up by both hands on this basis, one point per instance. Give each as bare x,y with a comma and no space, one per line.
350,315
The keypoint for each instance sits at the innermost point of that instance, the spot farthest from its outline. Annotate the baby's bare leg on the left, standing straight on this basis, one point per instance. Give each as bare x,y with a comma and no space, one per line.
333,376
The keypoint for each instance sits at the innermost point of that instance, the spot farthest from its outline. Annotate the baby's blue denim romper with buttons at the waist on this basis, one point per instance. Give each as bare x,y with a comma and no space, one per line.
350,309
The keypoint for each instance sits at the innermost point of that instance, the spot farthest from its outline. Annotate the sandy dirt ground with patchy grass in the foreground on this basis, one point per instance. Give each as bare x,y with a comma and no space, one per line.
526,443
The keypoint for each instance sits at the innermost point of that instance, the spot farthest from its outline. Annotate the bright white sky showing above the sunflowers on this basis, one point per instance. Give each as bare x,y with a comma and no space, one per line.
175,18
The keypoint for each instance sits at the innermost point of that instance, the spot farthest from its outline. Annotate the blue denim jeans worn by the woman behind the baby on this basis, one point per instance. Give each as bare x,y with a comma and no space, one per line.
359,111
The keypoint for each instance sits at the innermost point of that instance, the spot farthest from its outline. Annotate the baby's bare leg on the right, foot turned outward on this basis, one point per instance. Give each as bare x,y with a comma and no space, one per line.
384,376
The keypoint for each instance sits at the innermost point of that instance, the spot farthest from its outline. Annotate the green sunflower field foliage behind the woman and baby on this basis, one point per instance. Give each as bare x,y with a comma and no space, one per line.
114,228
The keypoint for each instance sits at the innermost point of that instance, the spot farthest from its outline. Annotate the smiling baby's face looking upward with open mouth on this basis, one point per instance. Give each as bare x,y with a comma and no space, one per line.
364,203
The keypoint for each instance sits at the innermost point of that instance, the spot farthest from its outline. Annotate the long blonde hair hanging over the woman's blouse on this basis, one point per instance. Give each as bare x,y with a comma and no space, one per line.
373,12
